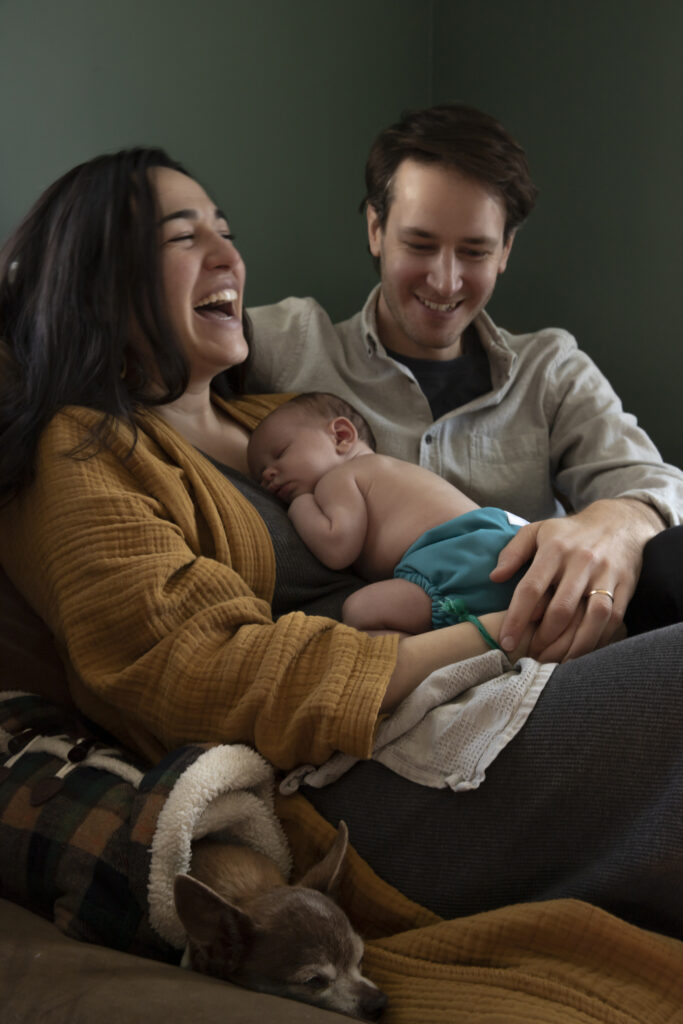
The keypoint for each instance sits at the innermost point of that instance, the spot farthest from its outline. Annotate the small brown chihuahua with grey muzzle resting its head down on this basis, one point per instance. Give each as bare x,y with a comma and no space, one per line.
245,924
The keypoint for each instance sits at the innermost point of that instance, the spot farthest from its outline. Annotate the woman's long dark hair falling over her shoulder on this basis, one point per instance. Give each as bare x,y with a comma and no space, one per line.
80,273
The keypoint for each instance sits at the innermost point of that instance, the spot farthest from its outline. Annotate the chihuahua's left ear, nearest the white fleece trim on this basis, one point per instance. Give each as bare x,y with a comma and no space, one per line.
221,932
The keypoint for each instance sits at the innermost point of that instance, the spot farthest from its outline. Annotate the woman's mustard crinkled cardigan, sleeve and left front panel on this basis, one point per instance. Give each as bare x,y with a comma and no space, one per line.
163,613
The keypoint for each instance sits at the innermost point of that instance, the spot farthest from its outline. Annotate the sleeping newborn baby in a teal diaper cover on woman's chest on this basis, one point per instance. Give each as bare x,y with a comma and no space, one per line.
426,549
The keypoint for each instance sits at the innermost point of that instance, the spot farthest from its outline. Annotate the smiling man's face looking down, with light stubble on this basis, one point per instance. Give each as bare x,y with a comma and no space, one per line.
441,253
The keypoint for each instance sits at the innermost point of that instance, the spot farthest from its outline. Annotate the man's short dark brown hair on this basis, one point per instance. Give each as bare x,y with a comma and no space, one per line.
459,138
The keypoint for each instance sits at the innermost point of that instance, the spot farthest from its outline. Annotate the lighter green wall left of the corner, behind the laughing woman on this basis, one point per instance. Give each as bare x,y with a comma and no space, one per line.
272,104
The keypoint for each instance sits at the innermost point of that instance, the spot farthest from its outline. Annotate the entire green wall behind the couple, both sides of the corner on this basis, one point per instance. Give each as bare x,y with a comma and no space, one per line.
273,104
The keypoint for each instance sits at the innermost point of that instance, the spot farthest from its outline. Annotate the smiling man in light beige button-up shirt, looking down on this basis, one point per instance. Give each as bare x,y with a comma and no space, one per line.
524,422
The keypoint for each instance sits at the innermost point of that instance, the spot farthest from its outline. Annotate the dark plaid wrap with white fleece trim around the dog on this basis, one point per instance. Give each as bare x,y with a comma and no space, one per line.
94,840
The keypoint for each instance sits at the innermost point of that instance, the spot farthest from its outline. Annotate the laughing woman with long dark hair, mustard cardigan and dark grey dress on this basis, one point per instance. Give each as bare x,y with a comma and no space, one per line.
187,610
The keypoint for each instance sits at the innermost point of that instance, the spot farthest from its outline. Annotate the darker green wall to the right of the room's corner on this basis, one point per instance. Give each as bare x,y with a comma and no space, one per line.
594,91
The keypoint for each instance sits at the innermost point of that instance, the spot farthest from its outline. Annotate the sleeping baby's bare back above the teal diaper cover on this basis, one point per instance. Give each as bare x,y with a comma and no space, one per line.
404,501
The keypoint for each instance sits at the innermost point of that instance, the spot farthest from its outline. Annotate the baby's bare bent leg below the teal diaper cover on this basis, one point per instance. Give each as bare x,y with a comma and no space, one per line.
390,605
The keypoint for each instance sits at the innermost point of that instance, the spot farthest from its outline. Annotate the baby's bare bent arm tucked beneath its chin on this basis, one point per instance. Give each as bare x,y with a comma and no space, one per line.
333,521
